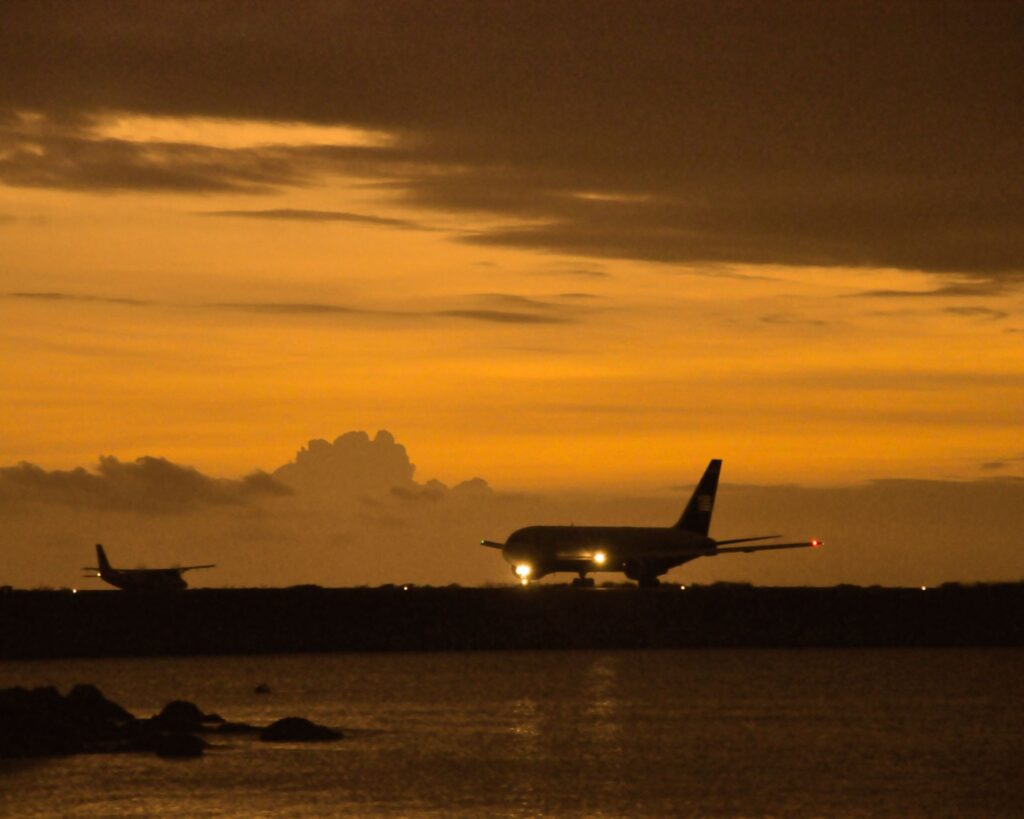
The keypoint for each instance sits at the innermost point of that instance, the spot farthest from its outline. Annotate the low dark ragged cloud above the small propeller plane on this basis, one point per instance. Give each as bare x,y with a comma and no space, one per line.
148,485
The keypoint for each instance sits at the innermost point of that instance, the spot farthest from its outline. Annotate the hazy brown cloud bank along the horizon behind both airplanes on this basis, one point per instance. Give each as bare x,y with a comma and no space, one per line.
356,513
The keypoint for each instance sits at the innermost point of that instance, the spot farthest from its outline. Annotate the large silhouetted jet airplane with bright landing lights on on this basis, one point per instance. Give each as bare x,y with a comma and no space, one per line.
643,553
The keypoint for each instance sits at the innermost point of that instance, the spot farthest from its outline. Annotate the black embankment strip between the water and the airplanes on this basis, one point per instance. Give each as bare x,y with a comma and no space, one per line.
275,621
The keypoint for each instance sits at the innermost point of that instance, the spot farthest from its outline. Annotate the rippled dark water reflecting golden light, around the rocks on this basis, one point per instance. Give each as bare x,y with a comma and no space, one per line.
784,734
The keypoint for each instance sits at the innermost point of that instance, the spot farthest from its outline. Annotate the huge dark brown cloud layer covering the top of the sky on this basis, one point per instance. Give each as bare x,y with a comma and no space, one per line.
852,134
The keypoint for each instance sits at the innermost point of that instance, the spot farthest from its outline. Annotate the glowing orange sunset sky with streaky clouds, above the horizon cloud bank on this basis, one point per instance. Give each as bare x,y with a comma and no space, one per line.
561,246
